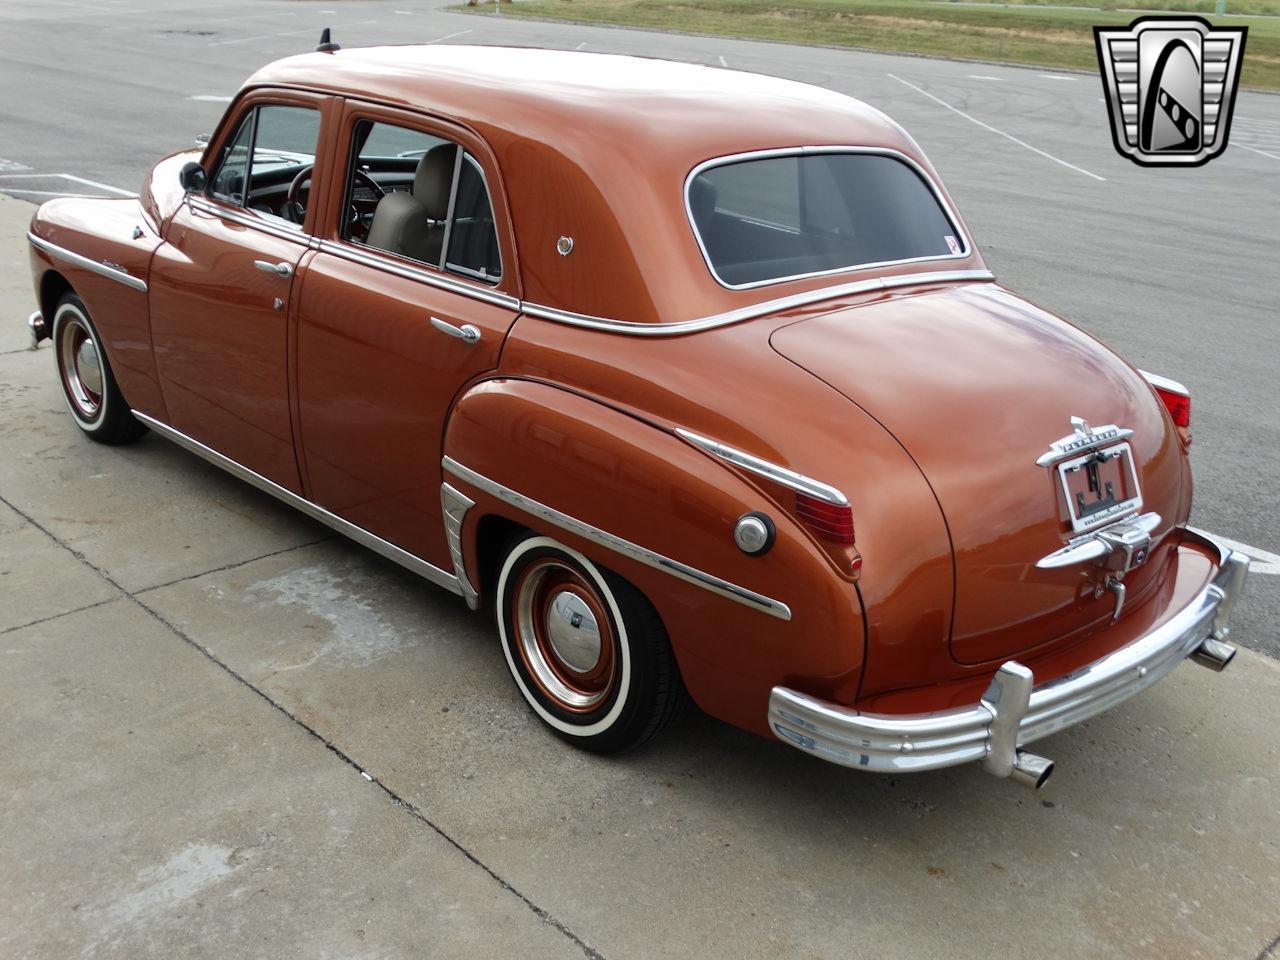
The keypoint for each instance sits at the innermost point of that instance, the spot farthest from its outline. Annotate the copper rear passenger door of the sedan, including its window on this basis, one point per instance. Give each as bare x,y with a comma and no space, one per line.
410,298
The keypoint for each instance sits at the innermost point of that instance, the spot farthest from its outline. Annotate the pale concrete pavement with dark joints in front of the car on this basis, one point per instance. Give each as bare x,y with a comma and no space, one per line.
228,734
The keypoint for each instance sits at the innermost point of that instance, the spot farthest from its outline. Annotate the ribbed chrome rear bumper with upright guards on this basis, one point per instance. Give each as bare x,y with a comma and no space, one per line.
1014,711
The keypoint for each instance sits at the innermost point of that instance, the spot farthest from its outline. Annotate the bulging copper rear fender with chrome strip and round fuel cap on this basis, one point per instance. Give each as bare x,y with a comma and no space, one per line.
630,481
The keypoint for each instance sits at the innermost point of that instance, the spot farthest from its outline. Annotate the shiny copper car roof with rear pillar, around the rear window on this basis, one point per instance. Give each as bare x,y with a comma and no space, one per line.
597,148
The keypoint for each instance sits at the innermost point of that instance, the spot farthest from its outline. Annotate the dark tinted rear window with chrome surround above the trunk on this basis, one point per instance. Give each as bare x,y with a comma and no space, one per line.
769,220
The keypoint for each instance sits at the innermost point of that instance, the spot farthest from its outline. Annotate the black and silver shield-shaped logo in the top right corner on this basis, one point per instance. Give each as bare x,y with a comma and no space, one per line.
1171,86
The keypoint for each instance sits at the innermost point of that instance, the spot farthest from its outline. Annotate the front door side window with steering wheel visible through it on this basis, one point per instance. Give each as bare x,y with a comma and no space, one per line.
275,144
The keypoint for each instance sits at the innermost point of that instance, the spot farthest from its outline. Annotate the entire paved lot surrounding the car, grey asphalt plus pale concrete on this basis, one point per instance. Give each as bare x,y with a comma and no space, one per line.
228,733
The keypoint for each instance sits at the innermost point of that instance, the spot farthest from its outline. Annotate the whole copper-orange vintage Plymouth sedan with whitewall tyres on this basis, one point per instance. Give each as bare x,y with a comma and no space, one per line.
694,378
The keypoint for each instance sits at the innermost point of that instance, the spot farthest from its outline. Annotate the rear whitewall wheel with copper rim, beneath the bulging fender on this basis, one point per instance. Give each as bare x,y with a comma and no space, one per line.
586,648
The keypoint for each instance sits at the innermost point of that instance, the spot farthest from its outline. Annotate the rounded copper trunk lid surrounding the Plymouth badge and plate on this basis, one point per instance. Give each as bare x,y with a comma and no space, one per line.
976,385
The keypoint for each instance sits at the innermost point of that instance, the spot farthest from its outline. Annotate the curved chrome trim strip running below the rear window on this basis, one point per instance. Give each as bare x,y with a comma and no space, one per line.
755,310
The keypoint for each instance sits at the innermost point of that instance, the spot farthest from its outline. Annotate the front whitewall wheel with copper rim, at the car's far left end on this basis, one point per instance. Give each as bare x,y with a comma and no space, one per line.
89,386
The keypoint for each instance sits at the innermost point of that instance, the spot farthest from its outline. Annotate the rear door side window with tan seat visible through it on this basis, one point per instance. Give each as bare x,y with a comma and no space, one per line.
420,198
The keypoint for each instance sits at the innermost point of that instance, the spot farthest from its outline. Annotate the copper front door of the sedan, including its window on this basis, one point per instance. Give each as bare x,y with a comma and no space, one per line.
222,287
